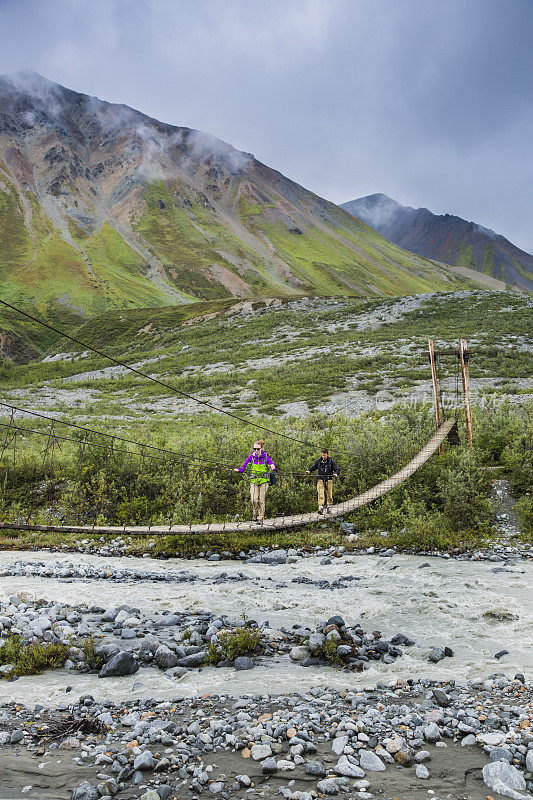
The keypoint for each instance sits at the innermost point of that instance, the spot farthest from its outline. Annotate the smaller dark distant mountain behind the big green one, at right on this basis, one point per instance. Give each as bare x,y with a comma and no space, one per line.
445,238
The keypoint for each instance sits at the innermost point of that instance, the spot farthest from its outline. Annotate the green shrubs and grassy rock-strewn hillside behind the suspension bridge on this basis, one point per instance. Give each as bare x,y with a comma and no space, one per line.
297,367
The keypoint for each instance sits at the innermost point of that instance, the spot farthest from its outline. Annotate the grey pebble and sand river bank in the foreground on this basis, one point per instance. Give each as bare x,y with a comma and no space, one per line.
407,740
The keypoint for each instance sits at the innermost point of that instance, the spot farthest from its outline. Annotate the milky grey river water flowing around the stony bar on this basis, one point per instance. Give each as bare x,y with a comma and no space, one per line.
462,604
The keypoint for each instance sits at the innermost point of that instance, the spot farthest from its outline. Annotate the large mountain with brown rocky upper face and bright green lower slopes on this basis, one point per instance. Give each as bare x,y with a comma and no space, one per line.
103,207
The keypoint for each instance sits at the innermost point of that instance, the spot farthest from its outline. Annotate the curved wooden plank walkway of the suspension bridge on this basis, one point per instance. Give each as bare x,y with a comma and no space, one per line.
275,523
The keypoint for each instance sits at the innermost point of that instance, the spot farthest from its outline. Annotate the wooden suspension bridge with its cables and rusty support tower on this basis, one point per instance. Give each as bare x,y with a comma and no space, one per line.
110,446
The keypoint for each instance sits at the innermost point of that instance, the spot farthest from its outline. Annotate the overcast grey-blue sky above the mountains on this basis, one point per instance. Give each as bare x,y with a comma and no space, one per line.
428,101
